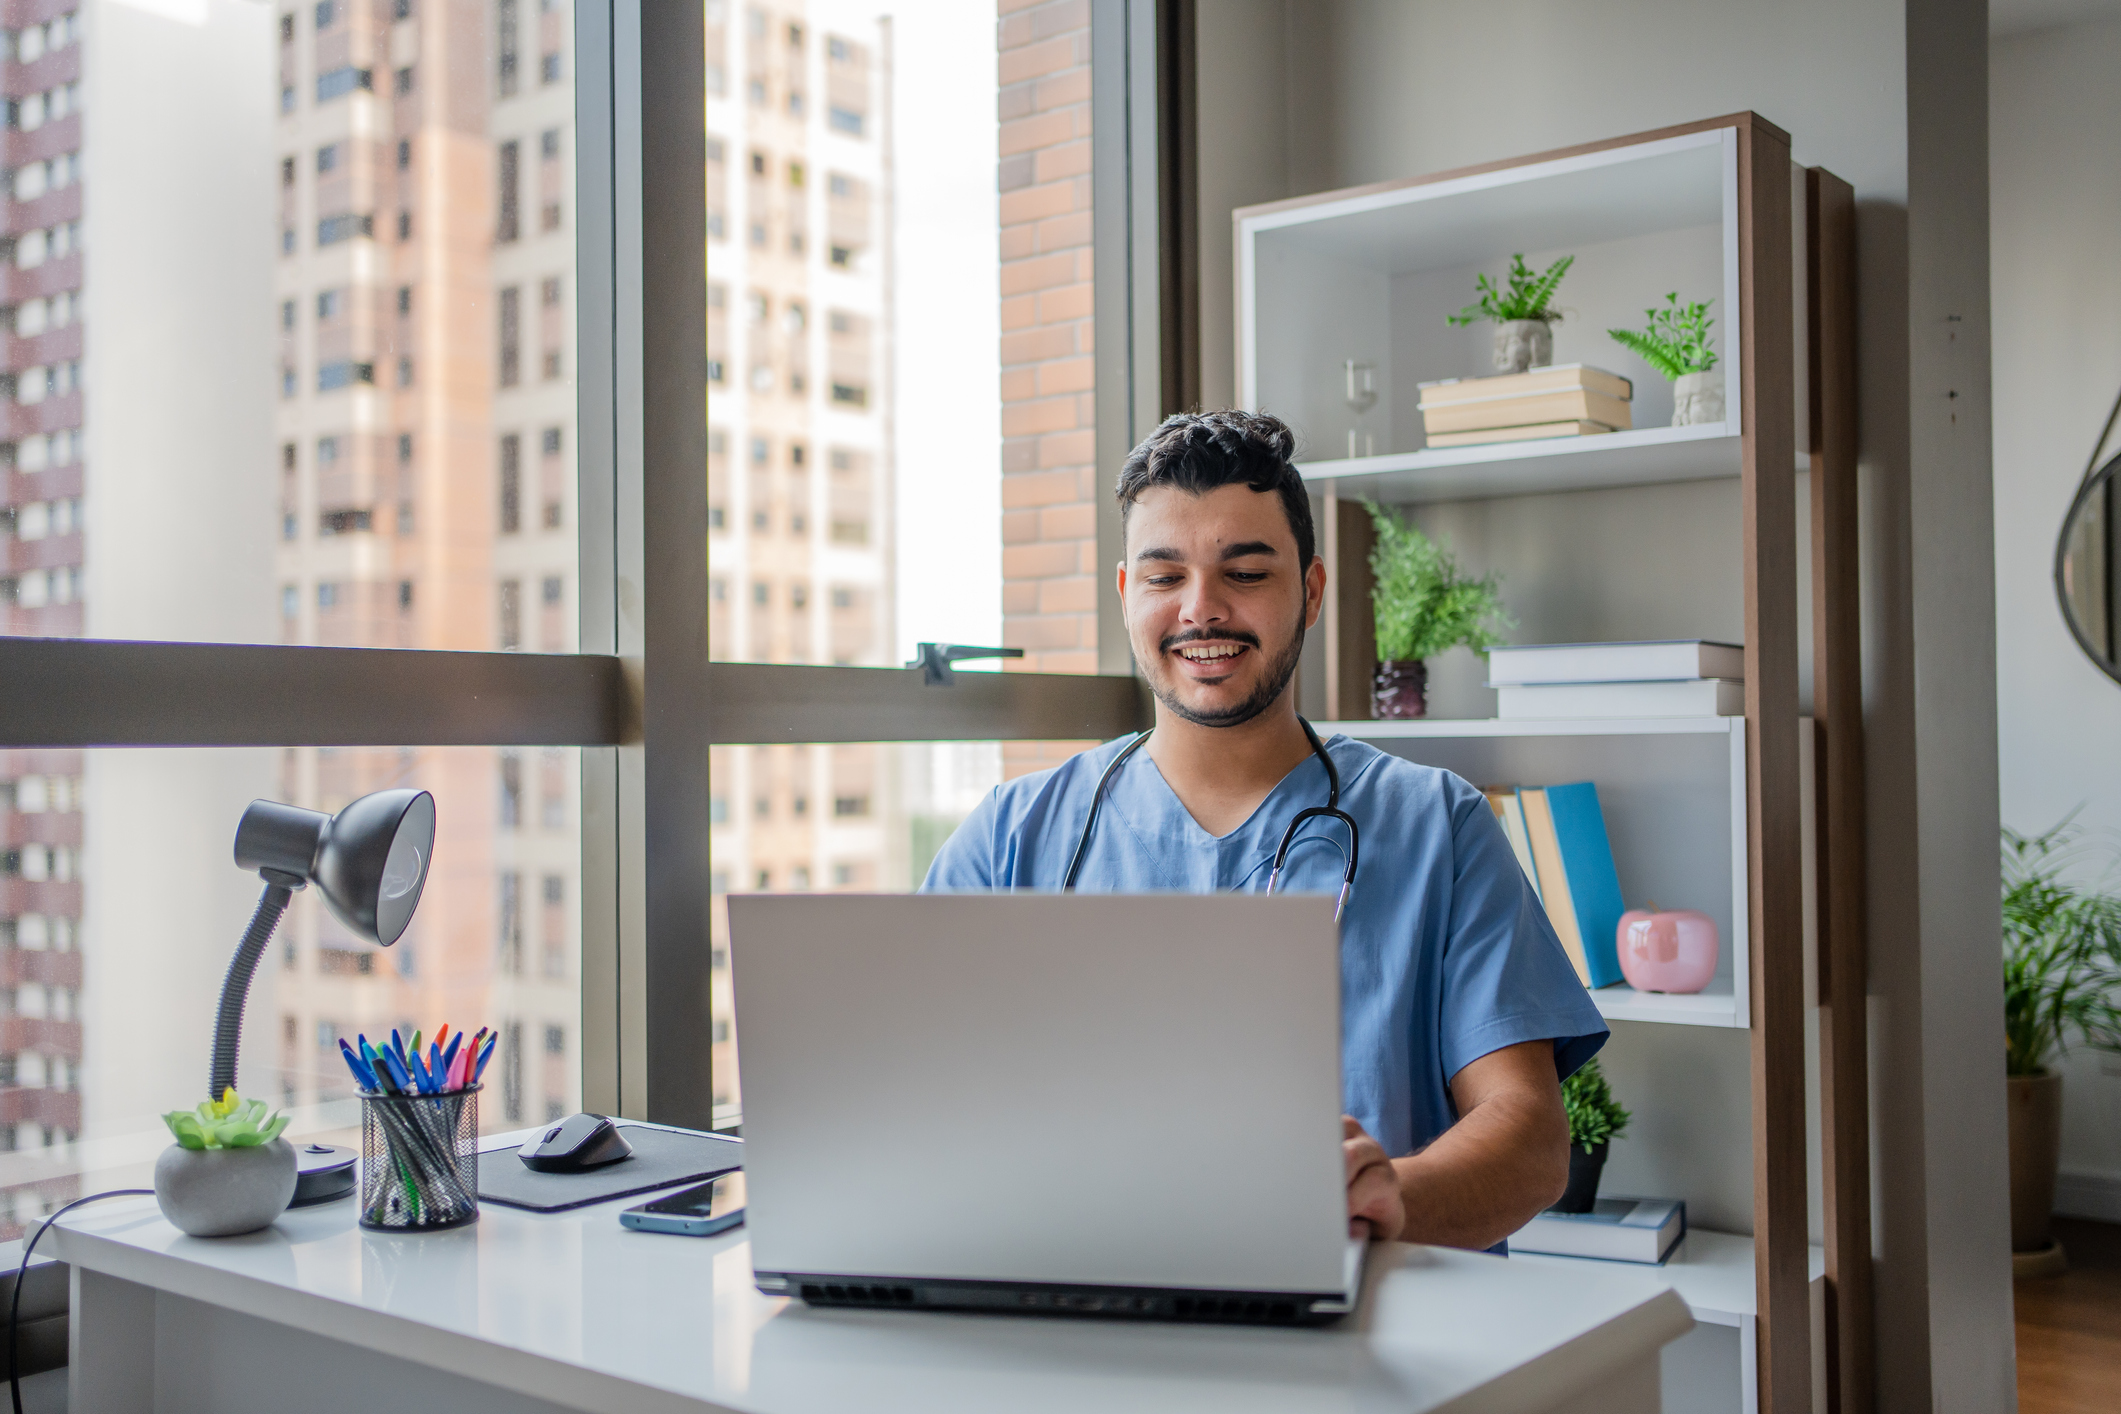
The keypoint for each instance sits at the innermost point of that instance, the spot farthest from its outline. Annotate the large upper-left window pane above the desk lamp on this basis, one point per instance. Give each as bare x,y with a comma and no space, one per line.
294,283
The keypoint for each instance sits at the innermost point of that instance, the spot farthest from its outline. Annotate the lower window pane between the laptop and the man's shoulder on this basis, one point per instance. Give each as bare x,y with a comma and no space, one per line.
866,817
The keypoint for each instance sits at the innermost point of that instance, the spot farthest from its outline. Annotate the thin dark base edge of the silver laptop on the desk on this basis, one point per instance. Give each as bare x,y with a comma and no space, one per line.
1062,1298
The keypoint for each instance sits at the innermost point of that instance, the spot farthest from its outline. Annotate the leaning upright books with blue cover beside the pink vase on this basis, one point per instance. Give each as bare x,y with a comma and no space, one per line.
1560,841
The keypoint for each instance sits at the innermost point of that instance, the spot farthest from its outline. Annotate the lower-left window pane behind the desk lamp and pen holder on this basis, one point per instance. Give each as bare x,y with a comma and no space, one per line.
120,911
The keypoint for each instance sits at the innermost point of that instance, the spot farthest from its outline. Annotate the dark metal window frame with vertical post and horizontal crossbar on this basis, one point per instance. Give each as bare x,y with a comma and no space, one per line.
644,586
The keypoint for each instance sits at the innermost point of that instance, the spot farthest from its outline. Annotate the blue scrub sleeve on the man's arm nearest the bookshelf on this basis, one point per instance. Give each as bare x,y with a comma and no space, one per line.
1507,978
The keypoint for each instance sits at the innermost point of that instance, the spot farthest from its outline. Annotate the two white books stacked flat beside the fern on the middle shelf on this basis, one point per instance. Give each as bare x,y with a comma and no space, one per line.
1685,677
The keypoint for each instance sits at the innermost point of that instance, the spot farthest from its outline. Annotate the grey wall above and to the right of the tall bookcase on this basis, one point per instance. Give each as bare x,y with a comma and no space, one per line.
1891,96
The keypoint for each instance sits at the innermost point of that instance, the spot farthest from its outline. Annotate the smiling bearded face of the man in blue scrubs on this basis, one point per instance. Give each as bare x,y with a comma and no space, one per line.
1216,603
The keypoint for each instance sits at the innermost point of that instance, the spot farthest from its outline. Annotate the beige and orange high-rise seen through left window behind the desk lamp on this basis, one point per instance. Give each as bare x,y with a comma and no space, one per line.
427,495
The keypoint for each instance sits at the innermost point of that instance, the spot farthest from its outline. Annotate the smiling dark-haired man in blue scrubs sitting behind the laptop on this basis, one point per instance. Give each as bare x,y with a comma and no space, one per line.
1460,1010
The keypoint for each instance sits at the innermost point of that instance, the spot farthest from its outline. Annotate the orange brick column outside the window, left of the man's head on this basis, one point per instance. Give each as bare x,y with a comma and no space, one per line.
1049,421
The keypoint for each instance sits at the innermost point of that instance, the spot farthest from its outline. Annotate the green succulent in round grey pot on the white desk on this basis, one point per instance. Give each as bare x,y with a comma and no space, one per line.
228,1171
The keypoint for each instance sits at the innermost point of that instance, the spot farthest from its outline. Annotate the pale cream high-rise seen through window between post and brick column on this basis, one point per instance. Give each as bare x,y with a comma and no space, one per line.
801,453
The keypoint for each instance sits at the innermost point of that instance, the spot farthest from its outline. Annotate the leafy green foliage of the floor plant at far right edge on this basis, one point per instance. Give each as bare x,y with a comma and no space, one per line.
2061,953
